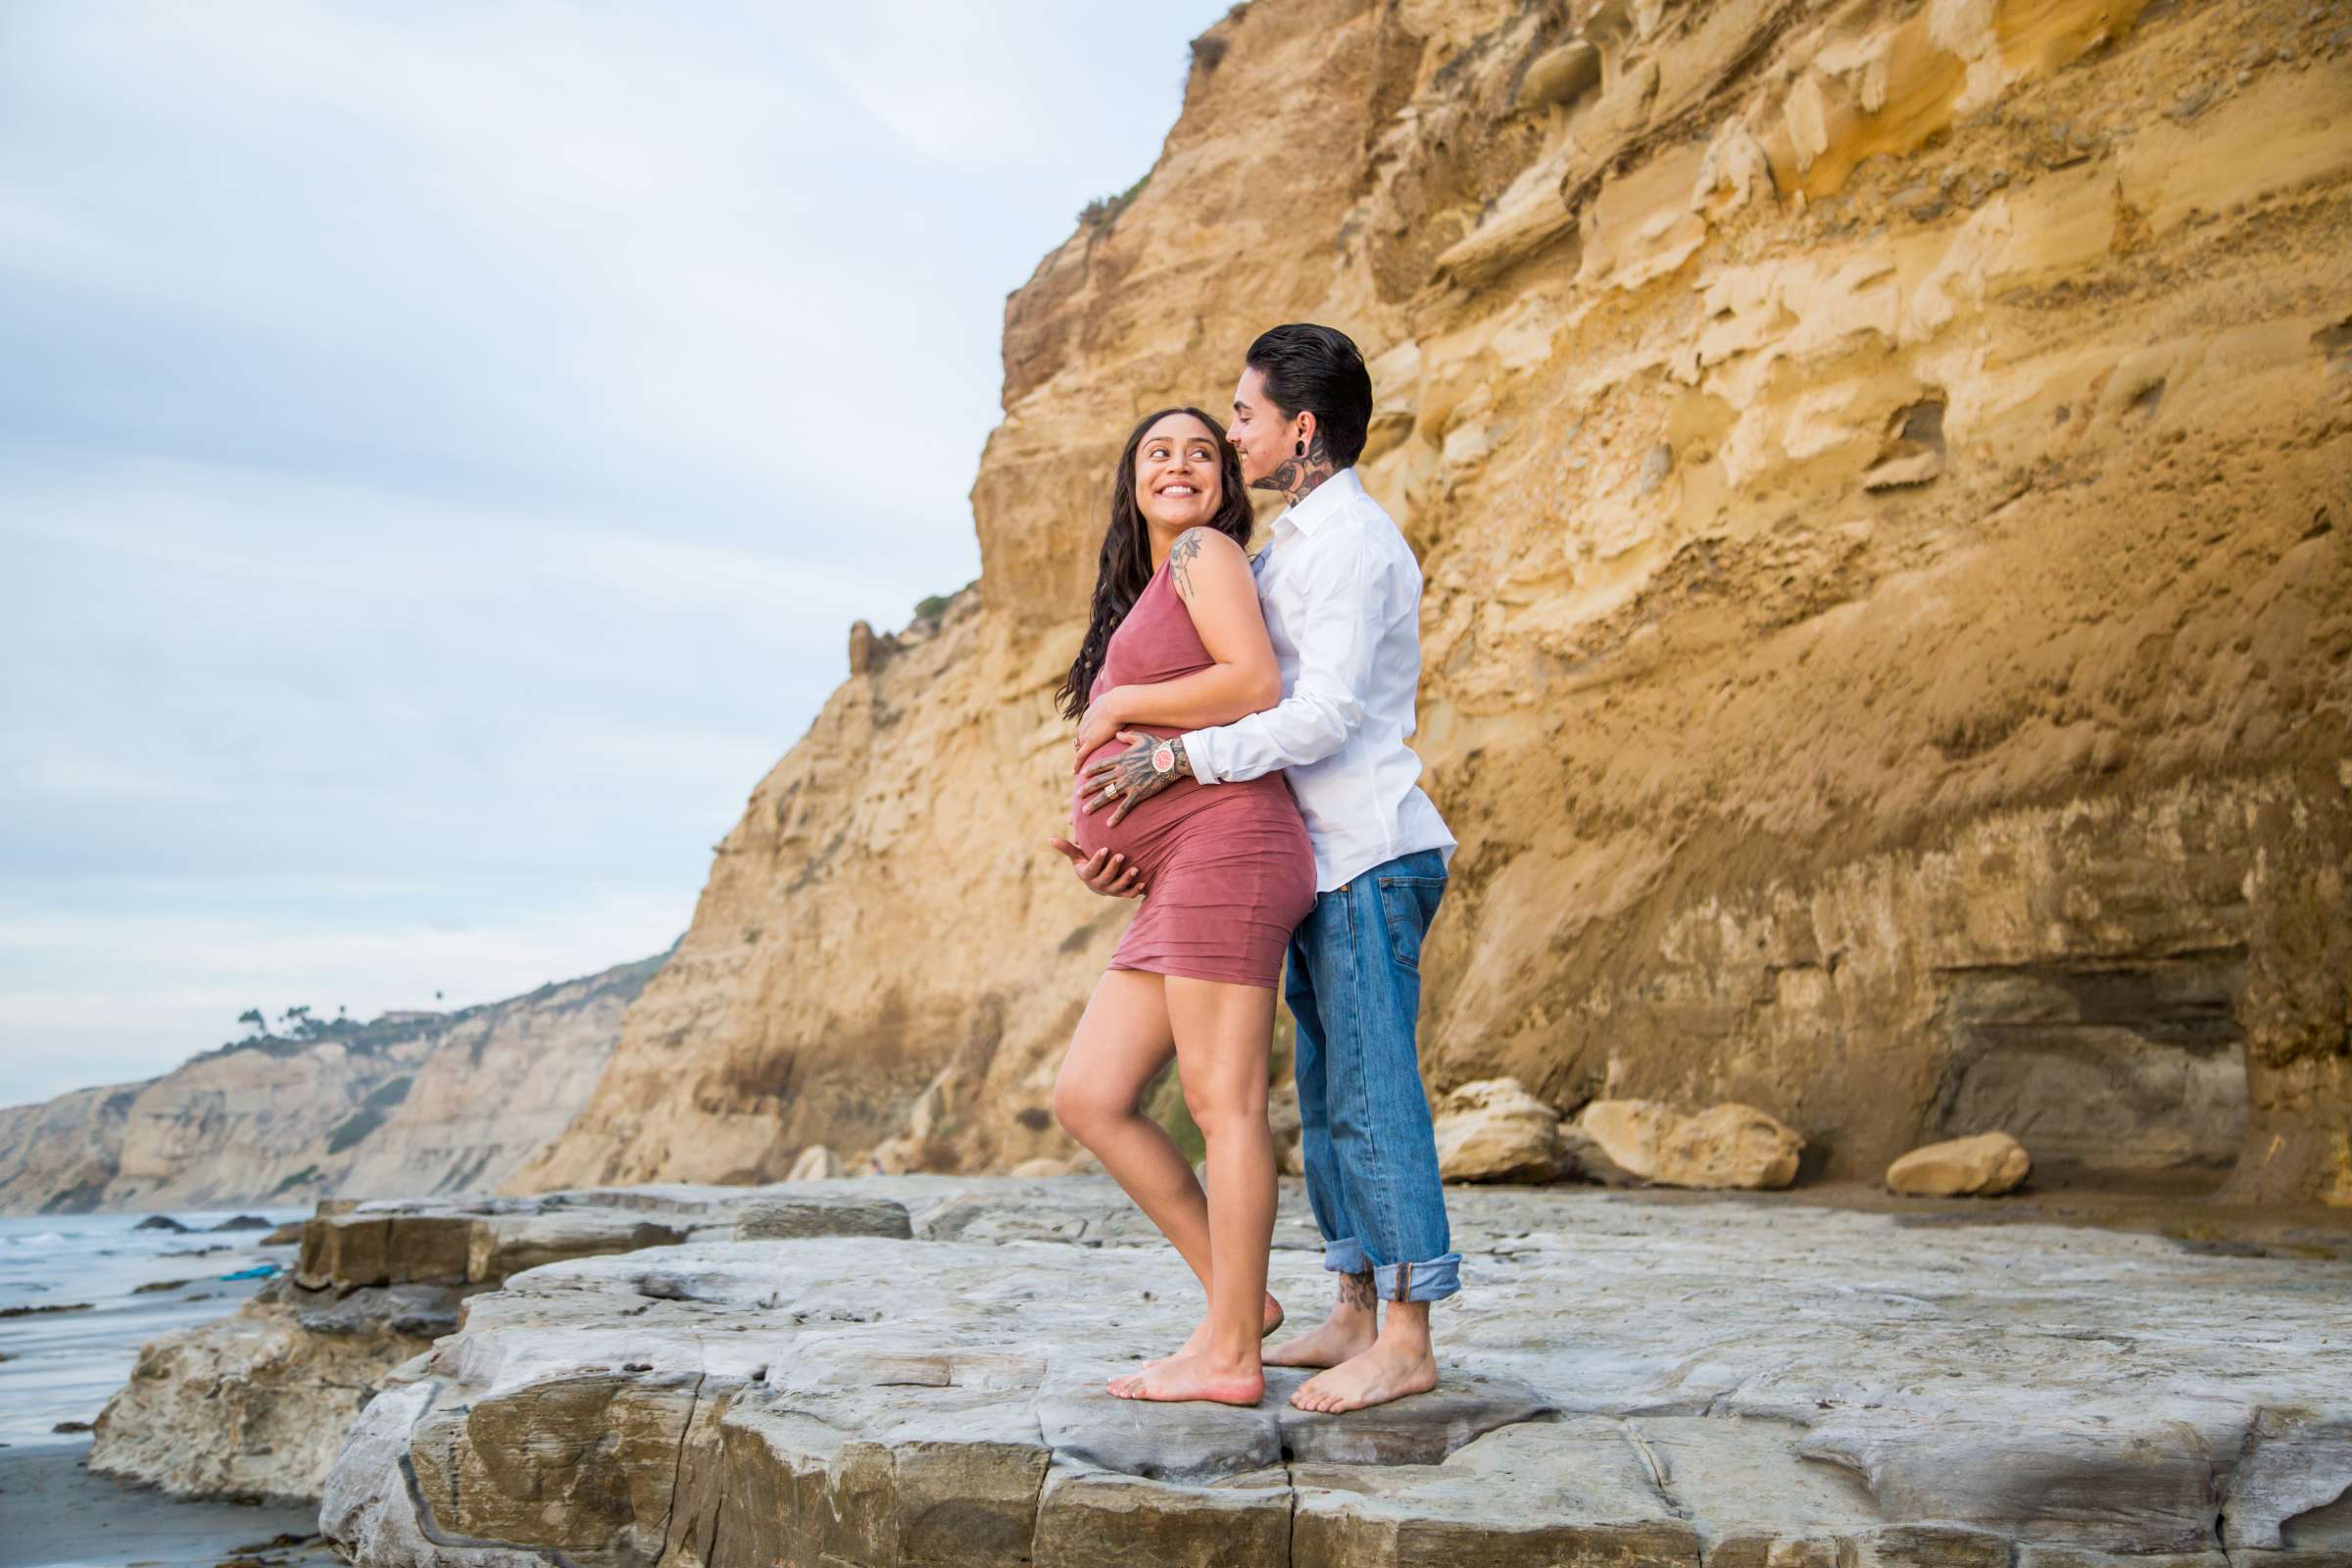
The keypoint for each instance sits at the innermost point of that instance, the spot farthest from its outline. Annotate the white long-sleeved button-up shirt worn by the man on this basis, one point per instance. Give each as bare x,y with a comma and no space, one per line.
1342,596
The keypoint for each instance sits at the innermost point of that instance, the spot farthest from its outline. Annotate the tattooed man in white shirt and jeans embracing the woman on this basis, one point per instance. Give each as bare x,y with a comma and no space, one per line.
1342,596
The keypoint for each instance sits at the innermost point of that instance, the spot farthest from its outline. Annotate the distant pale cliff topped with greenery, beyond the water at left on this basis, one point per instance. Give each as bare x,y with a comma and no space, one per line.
399,1106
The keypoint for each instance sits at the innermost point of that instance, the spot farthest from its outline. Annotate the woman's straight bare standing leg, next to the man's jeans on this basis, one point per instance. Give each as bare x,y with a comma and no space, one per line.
1224,1036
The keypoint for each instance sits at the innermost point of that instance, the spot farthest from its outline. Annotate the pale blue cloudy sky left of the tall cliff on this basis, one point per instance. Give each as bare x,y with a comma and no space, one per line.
443,450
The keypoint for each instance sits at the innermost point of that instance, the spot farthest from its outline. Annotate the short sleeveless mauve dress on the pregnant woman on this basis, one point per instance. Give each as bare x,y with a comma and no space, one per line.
1227,869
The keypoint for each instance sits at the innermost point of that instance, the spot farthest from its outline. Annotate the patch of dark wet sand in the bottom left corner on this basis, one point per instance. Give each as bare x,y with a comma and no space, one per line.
58,1515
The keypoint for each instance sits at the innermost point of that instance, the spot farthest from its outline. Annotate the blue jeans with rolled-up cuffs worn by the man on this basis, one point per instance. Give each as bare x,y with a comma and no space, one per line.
1372,1155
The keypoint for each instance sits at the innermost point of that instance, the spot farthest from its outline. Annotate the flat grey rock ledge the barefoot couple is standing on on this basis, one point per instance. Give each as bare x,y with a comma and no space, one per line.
1713,1386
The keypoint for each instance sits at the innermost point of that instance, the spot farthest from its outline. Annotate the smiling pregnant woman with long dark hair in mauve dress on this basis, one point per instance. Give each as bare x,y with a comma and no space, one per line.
1177,643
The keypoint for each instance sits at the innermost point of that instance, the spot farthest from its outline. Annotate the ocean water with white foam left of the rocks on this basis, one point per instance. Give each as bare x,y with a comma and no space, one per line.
67,1365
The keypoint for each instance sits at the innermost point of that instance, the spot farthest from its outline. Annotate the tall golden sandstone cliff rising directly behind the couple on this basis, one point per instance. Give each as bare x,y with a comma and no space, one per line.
1880,476
